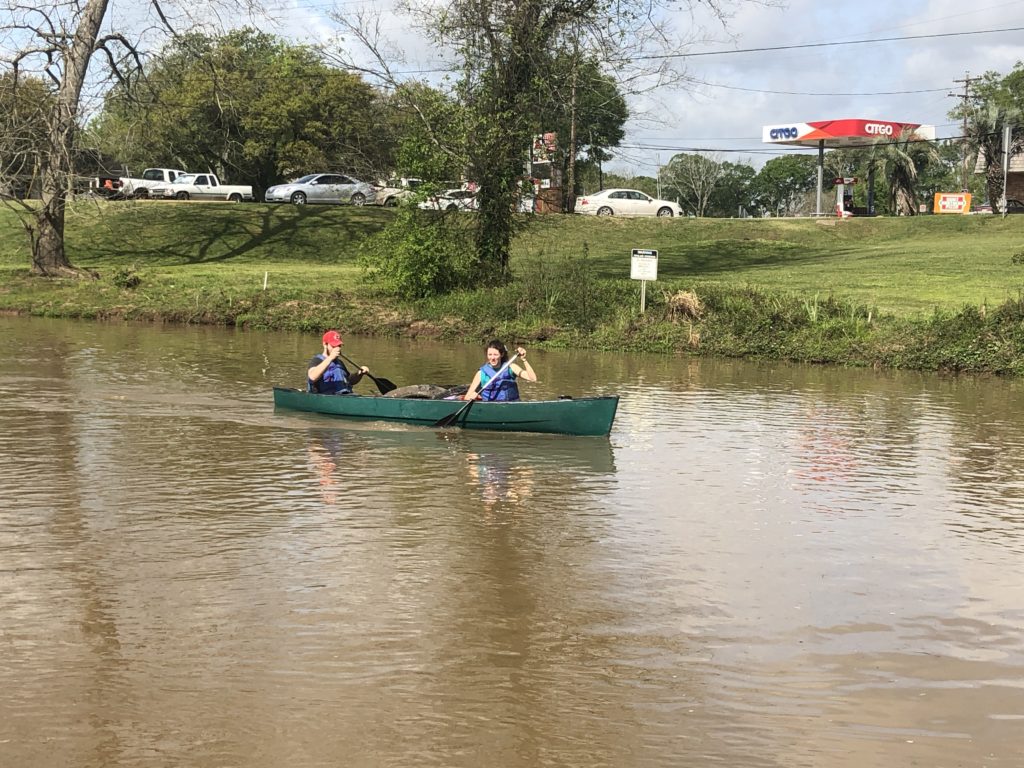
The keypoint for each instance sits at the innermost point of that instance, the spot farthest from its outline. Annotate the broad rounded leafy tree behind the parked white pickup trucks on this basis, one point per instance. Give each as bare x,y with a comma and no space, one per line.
251,108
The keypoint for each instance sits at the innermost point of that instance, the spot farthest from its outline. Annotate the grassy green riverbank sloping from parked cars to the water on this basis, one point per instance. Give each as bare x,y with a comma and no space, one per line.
929,293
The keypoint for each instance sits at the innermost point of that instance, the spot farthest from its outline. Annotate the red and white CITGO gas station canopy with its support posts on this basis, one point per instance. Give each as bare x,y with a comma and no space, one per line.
840,134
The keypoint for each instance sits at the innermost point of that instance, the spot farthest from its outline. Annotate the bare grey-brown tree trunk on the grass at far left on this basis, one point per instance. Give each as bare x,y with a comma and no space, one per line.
49,257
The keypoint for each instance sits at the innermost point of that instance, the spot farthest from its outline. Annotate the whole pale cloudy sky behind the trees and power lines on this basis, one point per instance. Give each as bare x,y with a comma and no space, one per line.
735,94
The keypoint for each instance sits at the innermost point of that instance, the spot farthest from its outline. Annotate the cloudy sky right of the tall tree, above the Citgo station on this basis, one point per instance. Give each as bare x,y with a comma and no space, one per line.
898,66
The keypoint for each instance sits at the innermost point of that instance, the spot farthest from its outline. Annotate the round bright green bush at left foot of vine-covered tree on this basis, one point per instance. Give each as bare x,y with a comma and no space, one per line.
421,254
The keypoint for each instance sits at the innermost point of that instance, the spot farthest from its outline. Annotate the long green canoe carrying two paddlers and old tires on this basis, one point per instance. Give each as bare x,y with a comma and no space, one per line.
586,416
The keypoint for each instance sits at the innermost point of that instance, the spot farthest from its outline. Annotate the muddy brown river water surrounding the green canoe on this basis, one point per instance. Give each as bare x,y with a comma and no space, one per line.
764,566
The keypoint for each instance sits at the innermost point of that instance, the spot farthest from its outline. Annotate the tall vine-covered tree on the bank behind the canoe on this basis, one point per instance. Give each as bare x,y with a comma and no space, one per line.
504,50
